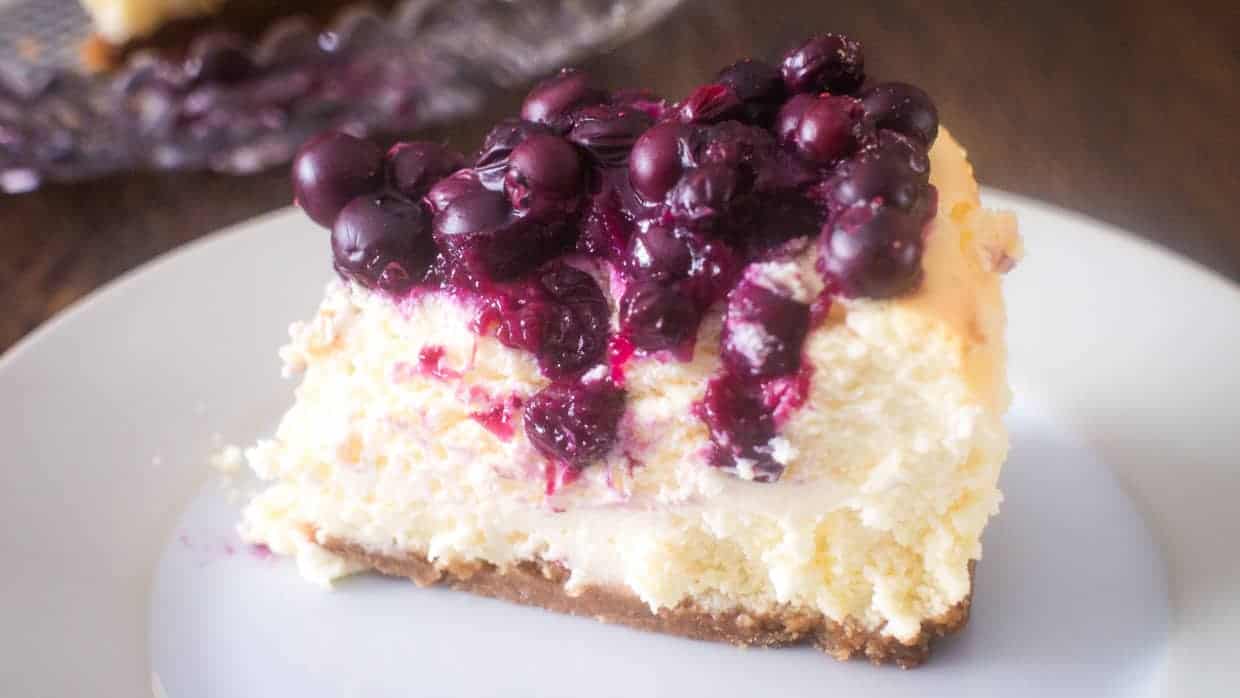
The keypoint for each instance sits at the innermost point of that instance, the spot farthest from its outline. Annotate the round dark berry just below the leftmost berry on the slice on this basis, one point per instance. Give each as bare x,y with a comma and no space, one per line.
384,242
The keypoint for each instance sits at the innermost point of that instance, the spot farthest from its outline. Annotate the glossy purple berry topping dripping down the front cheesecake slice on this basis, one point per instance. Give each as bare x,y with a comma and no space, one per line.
678,203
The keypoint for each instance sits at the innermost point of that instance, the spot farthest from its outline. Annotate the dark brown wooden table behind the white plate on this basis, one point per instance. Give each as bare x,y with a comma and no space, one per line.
1125,110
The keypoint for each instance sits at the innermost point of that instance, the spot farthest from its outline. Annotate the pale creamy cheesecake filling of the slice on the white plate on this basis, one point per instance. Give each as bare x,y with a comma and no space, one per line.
891,466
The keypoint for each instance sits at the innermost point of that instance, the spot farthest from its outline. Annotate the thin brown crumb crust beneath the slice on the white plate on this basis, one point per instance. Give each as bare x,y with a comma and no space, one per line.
538,583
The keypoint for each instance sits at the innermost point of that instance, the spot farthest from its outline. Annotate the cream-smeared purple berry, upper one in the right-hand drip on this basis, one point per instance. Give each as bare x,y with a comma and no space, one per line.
763,332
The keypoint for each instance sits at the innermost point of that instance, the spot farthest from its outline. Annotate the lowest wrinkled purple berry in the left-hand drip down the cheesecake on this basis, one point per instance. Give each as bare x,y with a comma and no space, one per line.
575,423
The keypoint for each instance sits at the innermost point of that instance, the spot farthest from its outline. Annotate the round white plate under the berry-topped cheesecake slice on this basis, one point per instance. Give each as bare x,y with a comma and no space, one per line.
1114,568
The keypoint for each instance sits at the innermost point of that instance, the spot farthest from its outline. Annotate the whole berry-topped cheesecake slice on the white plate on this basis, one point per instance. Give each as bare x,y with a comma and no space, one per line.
731,368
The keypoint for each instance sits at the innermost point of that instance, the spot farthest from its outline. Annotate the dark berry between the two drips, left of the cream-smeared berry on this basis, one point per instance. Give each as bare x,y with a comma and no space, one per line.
658,317
